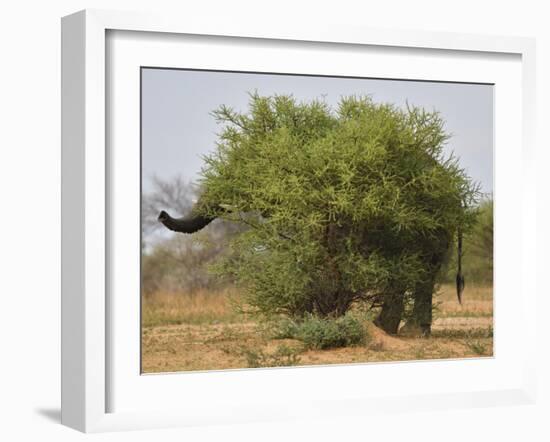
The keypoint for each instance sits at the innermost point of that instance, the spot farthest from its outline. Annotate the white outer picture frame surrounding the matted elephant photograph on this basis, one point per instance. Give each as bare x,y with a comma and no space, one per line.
87,205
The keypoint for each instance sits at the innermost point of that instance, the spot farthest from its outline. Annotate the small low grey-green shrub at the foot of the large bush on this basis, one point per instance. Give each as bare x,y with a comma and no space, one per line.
323,333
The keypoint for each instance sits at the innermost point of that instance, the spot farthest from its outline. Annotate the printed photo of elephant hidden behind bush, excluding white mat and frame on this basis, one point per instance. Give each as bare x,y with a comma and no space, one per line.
292,220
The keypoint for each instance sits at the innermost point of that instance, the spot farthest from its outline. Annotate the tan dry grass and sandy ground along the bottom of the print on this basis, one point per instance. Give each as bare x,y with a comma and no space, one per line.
202,331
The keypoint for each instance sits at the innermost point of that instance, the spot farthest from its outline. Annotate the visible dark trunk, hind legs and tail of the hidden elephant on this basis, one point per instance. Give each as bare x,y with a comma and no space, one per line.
433,253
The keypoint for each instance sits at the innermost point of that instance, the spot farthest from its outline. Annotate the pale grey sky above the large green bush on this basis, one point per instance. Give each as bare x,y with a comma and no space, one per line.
177,127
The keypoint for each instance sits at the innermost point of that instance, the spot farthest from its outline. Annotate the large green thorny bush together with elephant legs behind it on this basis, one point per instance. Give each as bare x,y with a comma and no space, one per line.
345,206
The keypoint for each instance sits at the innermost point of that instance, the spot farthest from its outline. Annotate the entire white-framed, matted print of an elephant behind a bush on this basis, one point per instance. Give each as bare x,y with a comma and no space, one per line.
261,224
